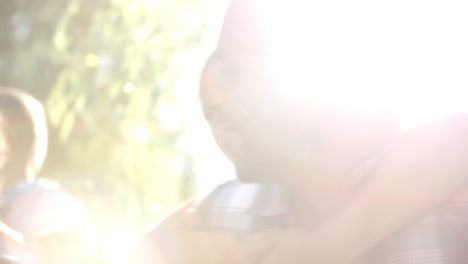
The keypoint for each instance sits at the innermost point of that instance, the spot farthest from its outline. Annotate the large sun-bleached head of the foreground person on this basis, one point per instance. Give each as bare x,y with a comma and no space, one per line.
269,135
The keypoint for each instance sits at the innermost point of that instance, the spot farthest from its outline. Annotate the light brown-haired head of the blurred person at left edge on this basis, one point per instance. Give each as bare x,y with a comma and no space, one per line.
25,130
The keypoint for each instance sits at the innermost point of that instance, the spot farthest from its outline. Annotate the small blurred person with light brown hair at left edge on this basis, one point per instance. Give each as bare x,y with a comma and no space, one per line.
53,224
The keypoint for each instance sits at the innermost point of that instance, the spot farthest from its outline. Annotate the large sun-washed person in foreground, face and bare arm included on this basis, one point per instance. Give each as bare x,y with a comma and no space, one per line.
388,213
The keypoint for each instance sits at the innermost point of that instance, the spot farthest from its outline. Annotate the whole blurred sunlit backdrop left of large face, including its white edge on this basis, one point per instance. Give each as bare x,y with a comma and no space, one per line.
118,79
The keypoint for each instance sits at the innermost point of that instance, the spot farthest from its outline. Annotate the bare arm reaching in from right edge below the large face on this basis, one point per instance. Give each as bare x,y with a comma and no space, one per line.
423,169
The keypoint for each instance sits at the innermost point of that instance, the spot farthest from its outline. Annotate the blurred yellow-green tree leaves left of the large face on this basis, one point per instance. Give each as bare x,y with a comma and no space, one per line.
105,70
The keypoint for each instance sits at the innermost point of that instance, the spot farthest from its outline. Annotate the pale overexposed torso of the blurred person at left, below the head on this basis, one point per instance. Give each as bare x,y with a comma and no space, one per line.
55,226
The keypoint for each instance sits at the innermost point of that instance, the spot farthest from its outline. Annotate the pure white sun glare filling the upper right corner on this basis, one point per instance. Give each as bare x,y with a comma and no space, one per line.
407,56
